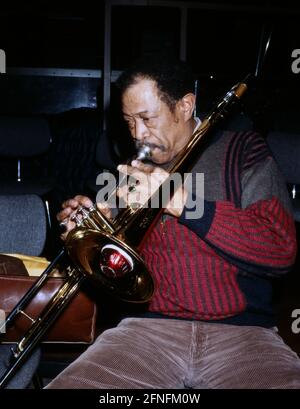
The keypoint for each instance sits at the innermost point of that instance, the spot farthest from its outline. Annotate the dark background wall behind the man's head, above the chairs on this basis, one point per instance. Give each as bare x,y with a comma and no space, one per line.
224,42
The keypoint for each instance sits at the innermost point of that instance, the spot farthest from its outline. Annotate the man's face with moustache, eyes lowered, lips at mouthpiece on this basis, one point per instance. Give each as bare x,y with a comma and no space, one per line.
151,121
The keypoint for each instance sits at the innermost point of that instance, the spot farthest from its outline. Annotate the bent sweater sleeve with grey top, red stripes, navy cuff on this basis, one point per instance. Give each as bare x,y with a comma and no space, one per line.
259,236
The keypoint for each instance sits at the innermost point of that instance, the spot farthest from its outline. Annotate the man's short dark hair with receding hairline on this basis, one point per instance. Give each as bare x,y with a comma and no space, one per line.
173,78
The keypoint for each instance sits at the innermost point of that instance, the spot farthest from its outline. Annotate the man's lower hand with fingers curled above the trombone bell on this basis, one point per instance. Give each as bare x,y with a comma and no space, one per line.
70,208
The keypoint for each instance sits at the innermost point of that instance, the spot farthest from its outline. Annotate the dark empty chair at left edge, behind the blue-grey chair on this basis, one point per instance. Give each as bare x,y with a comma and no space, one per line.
23,144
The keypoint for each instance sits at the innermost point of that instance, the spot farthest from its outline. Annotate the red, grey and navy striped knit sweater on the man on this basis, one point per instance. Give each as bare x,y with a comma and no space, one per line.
221,267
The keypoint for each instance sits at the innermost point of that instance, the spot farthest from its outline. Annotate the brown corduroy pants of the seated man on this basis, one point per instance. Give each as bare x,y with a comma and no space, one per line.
170,354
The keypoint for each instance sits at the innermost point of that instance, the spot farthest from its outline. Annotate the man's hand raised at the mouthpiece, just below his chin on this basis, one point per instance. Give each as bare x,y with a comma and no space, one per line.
144,181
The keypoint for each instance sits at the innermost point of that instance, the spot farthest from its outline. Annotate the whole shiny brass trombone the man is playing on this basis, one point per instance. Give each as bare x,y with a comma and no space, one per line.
106,251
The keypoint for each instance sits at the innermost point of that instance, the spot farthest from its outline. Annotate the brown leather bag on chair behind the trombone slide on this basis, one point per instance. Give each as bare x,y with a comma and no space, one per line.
76,324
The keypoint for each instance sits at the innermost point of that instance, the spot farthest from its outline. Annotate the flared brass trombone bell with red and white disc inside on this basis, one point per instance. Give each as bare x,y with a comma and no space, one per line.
110,262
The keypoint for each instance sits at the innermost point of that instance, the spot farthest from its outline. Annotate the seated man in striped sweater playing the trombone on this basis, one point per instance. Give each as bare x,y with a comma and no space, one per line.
210,322
